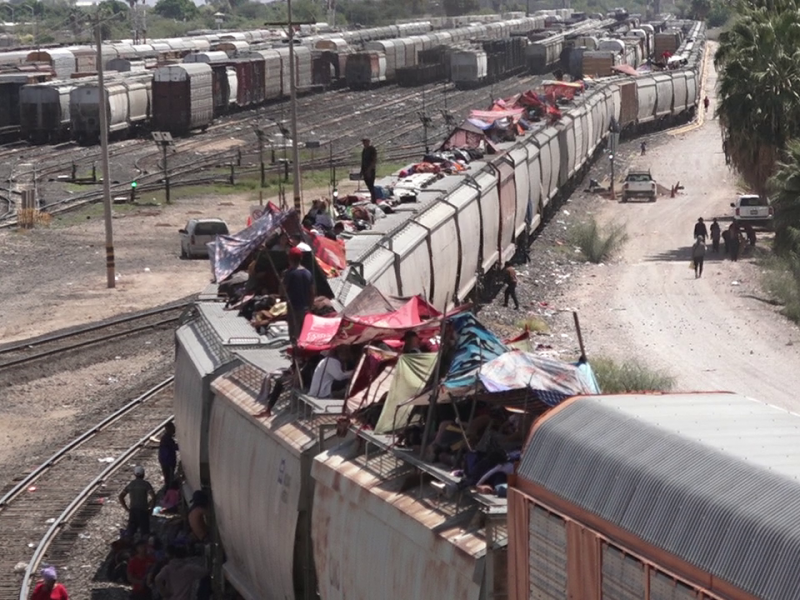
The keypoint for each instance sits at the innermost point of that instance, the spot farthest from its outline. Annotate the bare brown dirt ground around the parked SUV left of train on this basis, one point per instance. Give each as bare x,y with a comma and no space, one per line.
55,277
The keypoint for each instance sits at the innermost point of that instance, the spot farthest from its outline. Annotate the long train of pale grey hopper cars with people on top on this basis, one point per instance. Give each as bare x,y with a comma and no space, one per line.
276,544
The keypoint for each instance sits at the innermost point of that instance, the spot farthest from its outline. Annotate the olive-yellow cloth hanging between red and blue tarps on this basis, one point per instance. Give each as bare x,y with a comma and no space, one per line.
411,376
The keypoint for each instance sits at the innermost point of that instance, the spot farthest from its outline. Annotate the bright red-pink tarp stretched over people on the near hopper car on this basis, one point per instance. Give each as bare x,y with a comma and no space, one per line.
323,333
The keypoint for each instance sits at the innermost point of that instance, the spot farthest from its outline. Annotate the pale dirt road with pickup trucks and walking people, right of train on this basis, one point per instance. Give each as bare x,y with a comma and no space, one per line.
710,332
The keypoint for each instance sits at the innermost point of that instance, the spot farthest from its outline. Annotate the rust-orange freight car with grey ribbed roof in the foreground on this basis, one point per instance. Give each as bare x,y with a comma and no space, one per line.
586,487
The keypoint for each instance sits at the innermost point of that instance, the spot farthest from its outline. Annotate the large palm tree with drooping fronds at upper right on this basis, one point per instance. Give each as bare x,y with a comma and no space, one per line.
759,87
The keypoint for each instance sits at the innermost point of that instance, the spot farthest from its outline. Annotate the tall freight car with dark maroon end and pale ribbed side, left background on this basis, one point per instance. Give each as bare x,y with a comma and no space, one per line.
182,98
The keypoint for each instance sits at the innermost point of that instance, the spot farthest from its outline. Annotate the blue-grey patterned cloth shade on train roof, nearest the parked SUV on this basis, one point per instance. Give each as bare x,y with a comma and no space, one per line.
228,252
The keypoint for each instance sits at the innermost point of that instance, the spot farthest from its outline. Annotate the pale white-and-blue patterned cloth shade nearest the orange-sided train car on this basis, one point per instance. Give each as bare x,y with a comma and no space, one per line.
551,381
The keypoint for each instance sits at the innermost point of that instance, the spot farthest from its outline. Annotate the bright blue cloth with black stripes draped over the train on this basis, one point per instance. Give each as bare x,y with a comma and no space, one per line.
475,345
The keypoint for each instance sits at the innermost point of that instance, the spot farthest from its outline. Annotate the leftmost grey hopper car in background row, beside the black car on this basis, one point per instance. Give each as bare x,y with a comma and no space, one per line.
44,111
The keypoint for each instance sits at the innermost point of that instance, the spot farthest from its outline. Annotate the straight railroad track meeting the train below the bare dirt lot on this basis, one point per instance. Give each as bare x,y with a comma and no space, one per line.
44,347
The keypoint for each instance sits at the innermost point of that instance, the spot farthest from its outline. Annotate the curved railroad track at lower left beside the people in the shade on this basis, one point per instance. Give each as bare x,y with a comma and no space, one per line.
44,511
